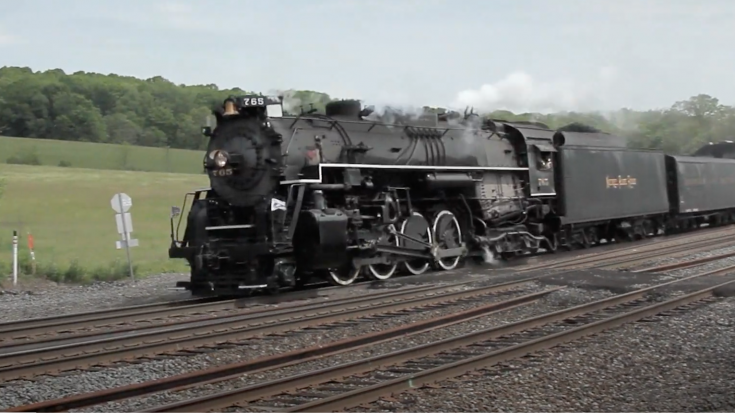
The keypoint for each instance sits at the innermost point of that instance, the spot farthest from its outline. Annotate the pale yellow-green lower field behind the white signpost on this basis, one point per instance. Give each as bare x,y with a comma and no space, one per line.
69,214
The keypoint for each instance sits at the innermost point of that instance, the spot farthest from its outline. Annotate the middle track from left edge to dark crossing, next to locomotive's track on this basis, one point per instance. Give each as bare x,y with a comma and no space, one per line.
19,362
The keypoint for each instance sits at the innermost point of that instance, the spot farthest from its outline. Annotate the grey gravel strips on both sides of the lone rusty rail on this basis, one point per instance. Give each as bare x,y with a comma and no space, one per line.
23,392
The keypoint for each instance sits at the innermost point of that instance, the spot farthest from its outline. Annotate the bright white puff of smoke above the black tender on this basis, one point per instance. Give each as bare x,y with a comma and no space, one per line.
519,92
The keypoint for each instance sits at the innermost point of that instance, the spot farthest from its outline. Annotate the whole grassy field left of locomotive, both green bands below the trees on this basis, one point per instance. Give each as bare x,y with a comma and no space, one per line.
67,209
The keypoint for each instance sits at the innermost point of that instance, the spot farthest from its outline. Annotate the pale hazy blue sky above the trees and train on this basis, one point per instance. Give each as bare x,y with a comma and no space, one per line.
519,55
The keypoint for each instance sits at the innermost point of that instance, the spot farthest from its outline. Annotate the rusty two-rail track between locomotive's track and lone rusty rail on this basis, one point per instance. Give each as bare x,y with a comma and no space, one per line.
74,356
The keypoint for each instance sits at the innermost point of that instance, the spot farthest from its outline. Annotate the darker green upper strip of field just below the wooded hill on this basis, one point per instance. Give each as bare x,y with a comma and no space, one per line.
102,155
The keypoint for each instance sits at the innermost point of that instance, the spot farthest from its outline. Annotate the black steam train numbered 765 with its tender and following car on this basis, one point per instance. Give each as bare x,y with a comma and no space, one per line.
352,191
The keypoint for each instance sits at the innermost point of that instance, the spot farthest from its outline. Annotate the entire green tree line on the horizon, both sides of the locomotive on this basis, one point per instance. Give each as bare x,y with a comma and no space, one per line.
156,112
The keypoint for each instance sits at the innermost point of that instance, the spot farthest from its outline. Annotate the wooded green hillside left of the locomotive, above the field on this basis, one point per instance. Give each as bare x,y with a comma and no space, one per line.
109,108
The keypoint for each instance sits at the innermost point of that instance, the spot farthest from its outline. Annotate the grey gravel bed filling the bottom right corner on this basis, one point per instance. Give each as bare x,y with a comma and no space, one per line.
679,363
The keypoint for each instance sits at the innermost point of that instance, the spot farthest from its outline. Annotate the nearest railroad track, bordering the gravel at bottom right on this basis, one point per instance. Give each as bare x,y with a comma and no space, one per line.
352,384
